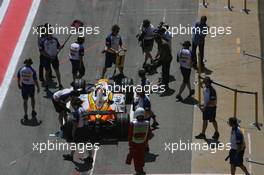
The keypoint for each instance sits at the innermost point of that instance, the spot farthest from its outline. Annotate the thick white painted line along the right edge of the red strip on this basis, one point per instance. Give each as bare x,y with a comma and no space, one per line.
18,50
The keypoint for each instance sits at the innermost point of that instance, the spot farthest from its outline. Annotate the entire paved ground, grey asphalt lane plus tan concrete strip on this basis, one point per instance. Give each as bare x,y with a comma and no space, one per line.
179,122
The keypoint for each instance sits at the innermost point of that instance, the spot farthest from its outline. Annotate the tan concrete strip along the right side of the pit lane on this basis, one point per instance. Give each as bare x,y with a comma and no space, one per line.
231,68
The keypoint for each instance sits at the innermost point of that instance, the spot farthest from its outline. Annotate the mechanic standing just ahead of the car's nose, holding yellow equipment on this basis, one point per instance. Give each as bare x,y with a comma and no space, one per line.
113,46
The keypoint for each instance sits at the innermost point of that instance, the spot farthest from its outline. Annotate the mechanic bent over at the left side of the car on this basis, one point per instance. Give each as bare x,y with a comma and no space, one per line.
60,99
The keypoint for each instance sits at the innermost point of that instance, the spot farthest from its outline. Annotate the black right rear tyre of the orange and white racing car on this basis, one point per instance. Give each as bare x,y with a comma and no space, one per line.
122,123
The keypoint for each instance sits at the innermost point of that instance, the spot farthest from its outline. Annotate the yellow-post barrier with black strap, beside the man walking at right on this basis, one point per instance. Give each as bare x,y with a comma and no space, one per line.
236,91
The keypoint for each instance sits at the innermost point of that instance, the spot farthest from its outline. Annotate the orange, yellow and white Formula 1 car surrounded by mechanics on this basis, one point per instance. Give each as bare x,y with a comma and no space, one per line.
105,114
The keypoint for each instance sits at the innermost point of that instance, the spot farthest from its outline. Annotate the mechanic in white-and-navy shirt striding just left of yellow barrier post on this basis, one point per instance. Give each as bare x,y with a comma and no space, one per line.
184,56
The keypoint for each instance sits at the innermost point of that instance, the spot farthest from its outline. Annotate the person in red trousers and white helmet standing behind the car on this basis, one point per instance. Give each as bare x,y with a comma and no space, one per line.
137,137
